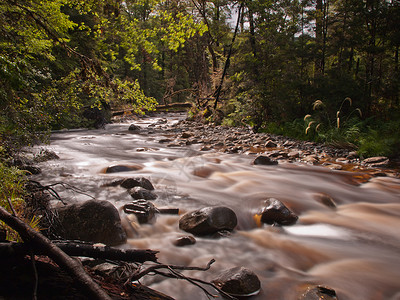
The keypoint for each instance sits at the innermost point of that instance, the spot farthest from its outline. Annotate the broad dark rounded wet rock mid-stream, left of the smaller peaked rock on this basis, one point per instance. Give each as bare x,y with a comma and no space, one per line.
208,220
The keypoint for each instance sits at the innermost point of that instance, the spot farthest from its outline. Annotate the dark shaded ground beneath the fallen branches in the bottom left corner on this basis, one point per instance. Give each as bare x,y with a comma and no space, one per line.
18,279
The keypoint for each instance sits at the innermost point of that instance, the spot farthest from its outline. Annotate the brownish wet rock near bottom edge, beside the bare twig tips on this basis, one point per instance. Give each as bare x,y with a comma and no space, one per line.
238,281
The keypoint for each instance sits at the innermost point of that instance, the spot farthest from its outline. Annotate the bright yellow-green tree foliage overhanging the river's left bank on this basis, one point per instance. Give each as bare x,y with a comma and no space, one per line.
62,58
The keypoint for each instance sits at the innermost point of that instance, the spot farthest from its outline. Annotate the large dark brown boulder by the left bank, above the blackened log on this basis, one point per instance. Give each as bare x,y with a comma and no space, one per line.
91,221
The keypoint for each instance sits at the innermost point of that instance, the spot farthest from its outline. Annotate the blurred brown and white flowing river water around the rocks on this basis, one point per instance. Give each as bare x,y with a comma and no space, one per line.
354,249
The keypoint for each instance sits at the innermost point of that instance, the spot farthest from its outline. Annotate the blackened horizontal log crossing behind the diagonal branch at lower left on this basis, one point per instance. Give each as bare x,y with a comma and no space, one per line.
86,250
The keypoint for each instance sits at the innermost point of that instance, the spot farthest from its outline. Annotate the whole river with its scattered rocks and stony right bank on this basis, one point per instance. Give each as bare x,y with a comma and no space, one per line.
295,216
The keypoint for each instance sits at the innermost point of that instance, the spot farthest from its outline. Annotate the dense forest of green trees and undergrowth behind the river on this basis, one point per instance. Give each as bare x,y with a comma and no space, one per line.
325,70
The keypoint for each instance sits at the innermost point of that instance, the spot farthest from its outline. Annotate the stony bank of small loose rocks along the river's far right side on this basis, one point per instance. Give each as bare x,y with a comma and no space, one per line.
278,149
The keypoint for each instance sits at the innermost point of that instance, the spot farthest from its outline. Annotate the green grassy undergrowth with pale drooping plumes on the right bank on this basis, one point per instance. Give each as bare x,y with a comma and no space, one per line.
343,127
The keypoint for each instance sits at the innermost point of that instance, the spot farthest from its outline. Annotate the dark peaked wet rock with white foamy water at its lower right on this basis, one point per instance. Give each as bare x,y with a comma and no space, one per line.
275,212
